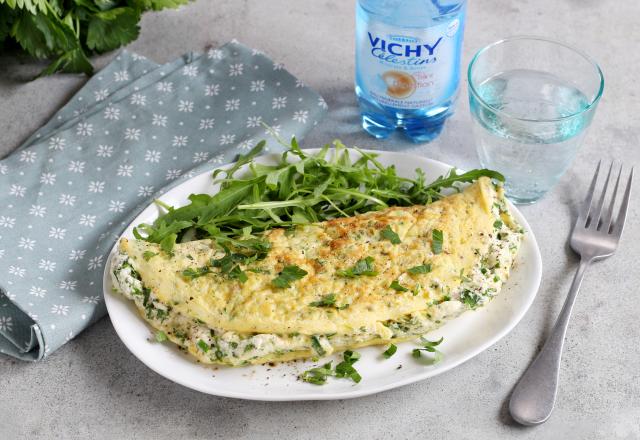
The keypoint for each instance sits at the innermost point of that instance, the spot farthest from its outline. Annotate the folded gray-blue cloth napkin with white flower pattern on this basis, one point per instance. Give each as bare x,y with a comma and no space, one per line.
135,129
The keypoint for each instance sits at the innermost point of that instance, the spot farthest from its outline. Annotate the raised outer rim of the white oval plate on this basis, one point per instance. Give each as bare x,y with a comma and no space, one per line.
338,395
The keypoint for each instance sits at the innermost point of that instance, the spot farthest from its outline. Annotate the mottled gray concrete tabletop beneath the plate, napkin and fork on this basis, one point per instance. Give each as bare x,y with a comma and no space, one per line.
93,388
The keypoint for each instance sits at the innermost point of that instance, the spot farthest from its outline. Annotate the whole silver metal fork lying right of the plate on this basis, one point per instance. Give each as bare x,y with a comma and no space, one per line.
595,236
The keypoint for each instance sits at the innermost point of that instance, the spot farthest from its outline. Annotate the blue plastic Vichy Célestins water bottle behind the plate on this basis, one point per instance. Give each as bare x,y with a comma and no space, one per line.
408,64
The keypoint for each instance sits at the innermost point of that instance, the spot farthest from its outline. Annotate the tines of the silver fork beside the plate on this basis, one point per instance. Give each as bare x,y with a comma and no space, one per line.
595,215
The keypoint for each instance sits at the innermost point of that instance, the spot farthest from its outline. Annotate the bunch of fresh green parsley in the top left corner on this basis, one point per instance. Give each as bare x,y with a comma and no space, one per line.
68,31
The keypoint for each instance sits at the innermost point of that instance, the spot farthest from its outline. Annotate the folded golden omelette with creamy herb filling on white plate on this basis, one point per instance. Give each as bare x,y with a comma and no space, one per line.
376,278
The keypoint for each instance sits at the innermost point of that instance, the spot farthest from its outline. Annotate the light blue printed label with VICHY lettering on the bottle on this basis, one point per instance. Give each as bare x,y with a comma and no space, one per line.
408,68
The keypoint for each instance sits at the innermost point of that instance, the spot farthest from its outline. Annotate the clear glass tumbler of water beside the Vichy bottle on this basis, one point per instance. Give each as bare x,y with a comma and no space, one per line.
531,101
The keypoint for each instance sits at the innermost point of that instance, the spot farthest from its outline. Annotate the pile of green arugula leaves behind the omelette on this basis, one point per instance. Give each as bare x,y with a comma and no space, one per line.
301,188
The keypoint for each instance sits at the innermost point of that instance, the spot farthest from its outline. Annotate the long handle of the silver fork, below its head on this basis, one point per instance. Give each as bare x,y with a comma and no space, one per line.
533,398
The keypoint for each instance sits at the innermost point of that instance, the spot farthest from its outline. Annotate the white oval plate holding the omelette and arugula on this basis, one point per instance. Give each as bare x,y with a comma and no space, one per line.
464,337
